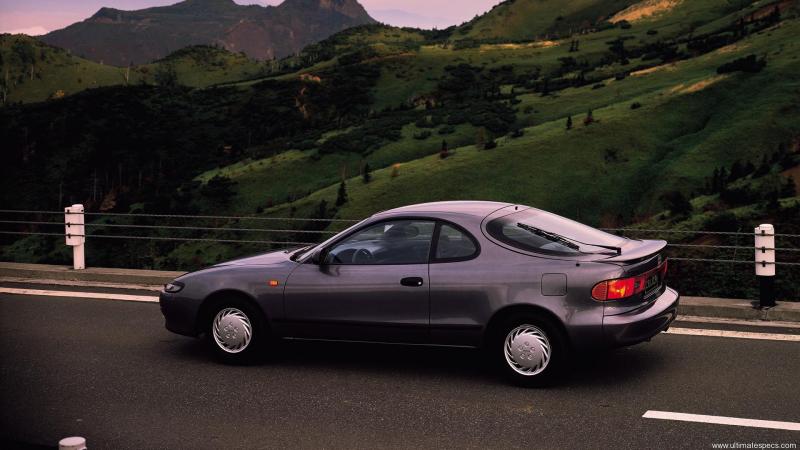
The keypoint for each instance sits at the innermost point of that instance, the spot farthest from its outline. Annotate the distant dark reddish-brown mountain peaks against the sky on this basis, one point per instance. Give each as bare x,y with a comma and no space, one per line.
117,37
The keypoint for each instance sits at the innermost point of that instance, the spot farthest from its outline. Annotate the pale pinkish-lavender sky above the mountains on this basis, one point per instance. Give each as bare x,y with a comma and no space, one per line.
41,16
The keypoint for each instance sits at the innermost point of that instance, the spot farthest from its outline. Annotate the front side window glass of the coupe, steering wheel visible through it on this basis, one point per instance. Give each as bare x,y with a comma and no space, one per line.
393,242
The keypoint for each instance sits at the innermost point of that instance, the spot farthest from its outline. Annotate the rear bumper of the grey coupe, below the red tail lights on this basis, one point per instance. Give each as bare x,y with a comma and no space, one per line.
643,323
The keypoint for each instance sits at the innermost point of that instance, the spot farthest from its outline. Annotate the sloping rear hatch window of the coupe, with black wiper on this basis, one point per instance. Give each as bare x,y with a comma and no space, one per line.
517,230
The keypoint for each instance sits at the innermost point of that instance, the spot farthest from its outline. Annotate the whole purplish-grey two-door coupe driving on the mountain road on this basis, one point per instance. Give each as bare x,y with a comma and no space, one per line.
527,286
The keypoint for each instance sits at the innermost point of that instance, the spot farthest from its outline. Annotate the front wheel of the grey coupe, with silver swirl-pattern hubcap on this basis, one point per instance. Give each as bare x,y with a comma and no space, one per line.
236,332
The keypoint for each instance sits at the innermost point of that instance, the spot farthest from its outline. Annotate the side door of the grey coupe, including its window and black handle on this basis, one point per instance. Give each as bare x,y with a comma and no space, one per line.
371,286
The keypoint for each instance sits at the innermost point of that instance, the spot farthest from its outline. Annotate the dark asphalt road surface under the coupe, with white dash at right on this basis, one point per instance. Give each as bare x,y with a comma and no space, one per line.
109,371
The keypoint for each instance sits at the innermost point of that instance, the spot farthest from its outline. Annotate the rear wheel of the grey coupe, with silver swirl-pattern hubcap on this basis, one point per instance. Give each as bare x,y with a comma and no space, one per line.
529,350
